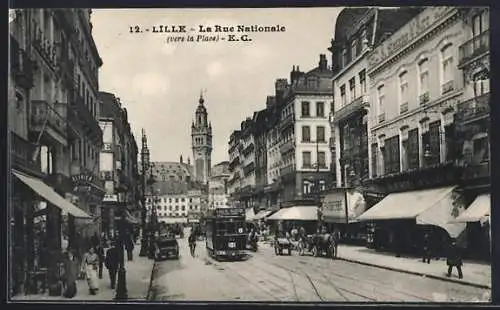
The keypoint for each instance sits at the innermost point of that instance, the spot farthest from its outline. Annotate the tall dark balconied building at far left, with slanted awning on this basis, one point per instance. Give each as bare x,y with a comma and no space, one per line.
54,138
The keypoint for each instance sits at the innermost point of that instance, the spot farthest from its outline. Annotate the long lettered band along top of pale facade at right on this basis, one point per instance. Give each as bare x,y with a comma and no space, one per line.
406,34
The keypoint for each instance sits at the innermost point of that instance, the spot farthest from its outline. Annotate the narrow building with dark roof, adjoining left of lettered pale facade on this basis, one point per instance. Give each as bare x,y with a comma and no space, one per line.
357,31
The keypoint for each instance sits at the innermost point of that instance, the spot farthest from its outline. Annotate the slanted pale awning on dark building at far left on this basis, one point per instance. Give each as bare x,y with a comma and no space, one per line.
51,196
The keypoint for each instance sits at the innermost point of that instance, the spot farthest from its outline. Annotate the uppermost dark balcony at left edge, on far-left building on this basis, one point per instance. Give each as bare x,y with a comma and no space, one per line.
21,65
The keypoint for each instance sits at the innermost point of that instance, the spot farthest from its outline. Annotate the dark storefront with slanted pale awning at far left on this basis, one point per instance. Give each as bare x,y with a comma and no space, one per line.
38,218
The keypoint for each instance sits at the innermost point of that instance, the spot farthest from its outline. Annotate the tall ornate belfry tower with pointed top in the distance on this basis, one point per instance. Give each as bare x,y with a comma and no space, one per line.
201,141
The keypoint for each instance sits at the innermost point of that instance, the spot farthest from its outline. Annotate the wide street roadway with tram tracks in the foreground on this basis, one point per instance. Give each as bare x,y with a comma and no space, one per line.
263,276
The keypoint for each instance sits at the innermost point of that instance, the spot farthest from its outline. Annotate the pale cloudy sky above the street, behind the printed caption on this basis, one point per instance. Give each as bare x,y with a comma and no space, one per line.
160,82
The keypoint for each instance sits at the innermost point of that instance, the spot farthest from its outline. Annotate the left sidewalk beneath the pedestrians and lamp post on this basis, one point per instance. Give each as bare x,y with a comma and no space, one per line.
138,280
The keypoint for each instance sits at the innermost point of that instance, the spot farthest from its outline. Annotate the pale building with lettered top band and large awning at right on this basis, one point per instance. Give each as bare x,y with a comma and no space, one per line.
415,92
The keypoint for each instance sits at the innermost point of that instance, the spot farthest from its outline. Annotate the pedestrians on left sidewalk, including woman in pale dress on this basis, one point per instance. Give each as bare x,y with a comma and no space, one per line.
88,264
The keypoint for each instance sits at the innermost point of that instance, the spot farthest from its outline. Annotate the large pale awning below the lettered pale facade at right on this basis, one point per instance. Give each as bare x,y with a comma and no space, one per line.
427,207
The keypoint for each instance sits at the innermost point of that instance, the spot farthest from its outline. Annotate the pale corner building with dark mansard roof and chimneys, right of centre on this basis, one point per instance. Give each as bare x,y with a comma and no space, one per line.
305,153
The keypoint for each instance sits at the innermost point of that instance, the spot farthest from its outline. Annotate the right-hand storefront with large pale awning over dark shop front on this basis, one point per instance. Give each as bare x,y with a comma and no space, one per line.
401,220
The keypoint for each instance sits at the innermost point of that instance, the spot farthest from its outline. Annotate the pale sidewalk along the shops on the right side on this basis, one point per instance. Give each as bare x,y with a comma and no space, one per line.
475,274
